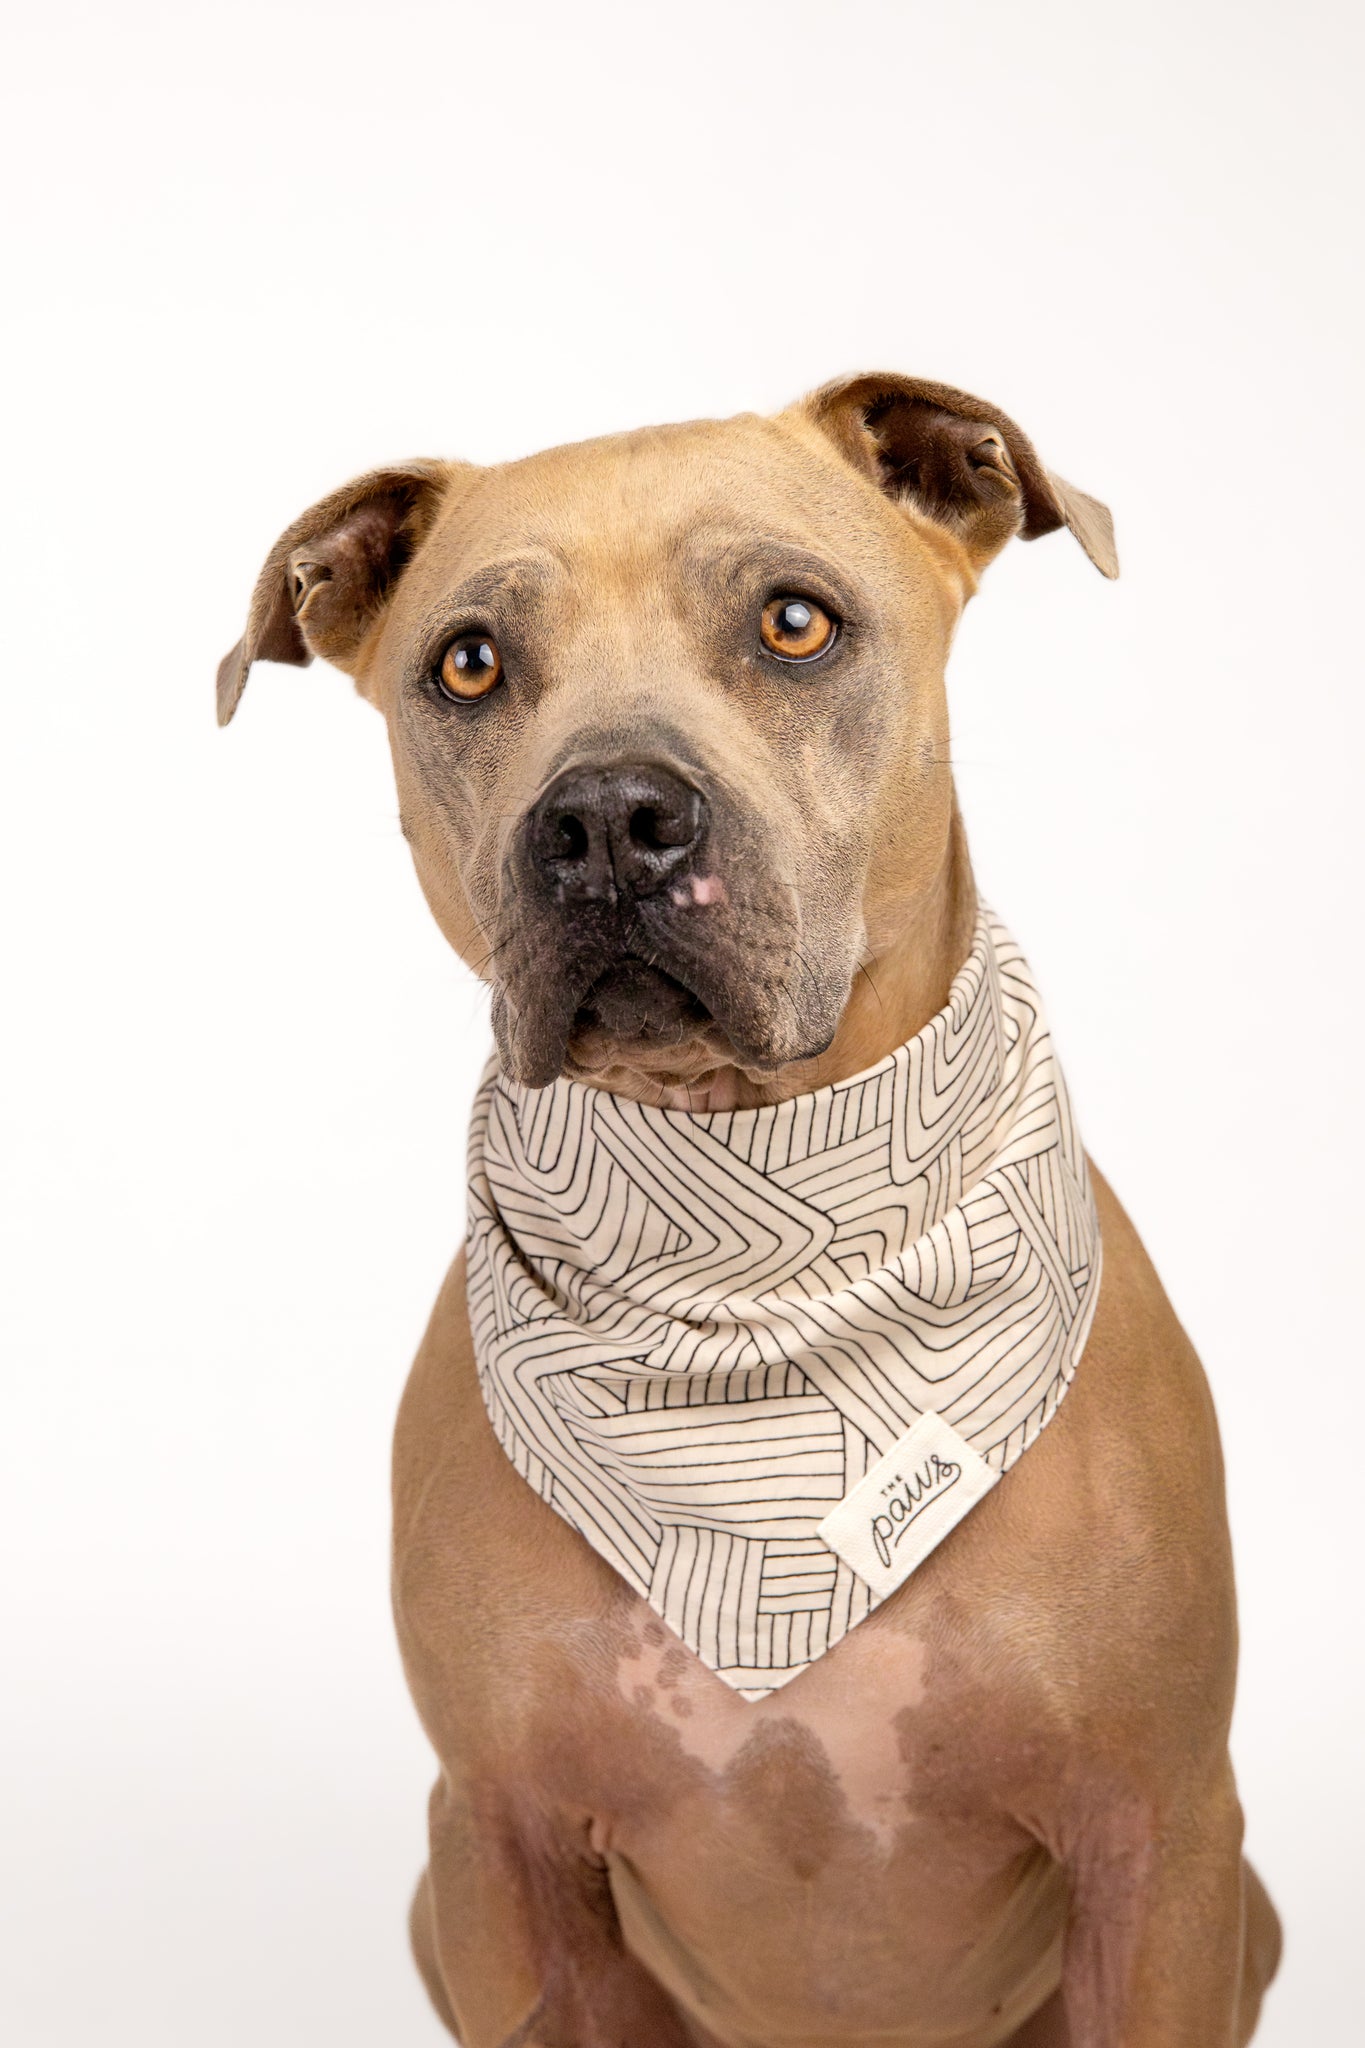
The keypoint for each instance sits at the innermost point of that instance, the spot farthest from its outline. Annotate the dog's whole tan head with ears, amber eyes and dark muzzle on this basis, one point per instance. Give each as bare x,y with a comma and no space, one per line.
668,710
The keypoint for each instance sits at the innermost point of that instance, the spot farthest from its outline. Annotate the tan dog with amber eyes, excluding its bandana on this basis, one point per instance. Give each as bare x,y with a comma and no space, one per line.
1002,1809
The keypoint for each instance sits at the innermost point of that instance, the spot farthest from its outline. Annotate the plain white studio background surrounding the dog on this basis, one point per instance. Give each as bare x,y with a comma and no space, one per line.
263,247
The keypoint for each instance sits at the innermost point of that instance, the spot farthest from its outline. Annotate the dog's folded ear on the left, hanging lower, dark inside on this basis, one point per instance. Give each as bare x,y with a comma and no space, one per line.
331,574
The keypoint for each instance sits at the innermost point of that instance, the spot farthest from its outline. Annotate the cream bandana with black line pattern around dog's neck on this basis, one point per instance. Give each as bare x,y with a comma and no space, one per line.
766,1359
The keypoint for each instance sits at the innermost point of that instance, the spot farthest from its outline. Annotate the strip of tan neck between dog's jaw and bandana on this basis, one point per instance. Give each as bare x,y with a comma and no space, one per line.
895,992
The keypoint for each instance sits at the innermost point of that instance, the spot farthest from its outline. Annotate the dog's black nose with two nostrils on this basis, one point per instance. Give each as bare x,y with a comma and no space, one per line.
625,830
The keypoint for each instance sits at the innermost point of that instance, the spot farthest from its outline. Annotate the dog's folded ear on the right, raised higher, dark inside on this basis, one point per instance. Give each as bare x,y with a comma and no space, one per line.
961,462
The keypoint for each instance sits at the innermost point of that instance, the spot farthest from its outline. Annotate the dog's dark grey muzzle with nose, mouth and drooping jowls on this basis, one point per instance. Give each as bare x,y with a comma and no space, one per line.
644,912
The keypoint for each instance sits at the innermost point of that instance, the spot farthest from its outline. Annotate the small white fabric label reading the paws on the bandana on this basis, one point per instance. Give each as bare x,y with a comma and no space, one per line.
908,1504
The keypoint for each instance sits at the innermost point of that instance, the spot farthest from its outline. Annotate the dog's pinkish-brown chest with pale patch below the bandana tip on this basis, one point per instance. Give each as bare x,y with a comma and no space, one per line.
818,1852
